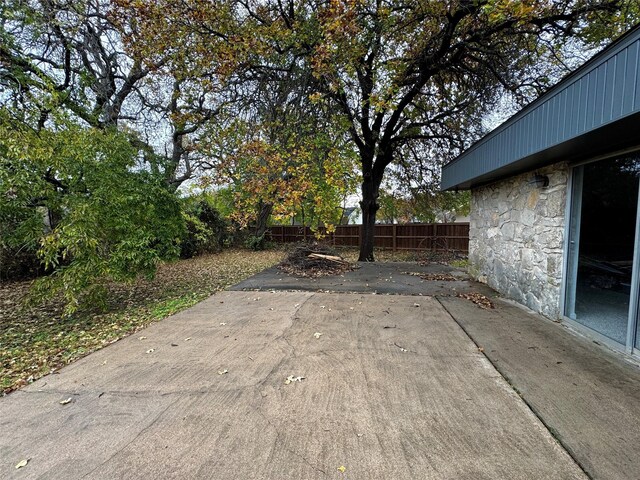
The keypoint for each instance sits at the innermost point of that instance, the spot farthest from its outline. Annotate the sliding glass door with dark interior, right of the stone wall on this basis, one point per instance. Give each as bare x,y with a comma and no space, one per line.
601,285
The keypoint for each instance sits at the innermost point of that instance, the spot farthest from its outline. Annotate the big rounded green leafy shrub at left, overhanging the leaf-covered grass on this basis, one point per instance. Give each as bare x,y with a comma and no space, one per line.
112,219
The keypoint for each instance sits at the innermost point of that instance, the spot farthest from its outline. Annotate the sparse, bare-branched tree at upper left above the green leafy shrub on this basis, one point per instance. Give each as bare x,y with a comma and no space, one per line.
69,56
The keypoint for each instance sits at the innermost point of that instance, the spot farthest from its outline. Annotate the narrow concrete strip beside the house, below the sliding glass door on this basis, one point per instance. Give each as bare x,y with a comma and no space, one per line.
588,396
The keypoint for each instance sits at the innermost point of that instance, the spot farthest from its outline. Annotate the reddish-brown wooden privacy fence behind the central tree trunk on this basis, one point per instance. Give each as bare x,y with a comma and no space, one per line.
410,236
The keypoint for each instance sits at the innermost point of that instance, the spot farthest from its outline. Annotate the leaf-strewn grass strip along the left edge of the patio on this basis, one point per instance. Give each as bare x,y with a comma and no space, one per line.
38,341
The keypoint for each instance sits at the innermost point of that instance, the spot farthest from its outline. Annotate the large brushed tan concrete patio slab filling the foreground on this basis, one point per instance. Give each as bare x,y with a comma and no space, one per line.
393,388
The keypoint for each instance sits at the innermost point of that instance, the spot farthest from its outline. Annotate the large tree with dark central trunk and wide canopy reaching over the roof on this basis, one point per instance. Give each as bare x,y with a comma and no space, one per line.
412,78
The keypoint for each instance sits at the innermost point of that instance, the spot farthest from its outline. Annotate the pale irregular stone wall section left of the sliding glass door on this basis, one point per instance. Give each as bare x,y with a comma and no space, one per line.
516,238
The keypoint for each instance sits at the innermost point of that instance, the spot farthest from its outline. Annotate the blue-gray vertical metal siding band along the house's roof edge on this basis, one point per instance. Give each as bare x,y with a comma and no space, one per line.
604,90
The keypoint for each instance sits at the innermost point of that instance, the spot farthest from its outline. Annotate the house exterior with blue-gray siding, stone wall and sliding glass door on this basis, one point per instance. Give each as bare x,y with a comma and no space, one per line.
554,209
